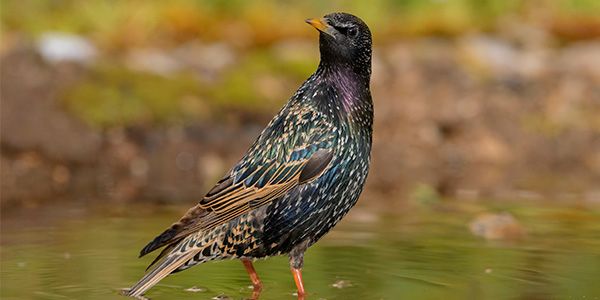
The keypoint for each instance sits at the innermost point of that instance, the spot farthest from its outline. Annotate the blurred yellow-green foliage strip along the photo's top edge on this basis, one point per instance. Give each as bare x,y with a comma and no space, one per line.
116,24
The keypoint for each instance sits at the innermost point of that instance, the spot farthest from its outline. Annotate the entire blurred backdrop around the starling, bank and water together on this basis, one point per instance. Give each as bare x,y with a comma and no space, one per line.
118,115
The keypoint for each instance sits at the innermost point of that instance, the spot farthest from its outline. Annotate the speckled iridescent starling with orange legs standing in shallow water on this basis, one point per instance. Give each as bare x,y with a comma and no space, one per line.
303,173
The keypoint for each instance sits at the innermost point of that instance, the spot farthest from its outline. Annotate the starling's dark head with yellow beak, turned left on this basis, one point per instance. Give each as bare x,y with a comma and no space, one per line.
344,39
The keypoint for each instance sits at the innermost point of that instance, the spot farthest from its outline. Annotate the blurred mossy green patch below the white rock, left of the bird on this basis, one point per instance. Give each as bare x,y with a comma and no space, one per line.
117,96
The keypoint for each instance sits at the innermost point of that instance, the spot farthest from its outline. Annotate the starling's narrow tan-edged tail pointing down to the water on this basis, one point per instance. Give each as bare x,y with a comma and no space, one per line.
160,270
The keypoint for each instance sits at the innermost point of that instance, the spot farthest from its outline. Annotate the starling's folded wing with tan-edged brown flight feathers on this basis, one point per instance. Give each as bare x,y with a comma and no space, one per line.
266,173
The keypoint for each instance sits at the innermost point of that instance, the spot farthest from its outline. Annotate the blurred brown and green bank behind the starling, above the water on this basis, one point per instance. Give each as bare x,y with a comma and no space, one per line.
153,101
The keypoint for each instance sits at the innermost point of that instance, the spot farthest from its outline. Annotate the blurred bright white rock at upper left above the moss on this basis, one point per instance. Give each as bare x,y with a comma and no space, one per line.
57,47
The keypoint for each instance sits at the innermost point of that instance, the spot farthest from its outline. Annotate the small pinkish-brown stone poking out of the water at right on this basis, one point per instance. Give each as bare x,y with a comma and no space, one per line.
502,226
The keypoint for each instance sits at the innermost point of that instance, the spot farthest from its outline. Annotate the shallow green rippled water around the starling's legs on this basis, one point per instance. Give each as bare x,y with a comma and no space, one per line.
72,252
